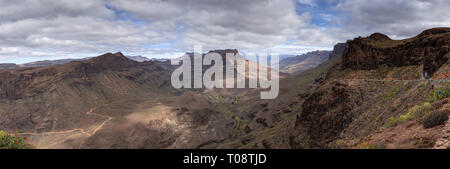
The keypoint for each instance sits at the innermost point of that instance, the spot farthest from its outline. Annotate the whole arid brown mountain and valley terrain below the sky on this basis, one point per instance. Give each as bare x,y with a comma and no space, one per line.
371,92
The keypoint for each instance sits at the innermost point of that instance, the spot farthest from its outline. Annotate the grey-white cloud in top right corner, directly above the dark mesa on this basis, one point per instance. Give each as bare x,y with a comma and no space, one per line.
397,18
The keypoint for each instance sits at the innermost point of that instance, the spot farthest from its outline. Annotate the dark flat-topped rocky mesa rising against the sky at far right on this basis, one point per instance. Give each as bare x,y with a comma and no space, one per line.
430,49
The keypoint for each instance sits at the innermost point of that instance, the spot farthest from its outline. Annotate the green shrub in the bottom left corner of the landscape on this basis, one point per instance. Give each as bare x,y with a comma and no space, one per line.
8,141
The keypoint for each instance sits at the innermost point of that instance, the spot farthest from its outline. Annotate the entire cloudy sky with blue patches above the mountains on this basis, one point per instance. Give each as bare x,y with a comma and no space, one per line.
33,30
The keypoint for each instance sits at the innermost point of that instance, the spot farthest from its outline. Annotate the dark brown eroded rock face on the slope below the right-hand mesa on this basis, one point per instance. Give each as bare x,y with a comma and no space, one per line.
326,113
